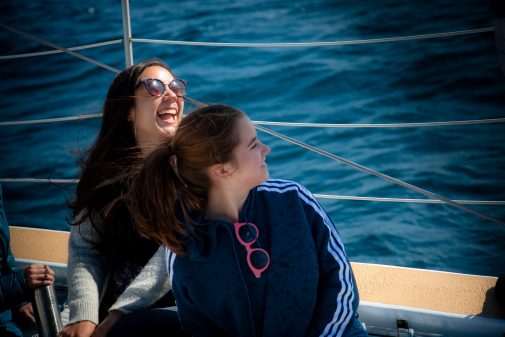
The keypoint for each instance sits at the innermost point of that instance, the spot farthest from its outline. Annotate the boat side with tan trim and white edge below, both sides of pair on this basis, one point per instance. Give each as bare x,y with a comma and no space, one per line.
426,299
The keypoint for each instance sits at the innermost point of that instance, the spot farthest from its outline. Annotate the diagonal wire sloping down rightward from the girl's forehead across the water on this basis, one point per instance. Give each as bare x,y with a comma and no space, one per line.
380,175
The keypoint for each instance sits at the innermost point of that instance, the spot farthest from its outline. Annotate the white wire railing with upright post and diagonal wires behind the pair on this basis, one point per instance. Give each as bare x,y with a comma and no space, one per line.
127,43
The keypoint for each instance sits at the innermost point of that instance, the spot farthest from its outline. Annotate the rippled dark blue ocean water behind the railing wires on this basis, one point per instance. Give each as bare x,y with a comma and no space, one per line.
433,80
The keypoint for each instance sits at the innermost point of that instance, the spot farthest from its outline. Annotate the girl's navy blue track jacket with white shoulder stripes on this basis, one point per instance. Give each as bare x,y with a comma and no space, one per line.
308,289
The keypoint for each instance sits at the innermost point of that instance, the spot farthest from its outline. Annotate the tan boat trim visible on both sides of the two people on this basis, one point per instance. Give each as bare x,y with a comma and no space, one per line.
464,294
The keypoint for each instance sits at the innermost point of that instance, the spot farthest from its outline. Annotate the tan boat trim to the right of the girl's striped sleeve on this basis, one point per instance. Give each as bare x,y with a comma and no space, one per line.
471,295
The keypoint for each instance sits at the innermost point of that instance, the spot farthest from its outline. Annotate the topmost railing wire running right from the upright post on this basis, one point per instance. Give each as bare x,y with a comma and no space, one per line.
315,44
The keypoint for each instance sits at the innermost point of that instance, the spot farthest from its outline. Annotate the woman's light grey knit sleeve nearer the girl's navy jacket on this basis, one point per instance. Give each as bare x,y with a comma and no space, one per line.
147,288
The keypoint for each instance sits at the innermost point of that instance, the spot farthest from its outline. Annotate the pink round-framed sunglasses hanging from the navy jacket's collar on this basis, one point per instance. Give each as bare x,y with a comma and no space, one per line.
257,258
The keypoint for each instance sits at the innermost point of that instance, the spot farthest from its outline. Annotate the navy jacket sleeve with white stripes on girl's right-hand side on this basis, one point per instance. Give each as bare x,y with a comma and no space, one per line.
337,297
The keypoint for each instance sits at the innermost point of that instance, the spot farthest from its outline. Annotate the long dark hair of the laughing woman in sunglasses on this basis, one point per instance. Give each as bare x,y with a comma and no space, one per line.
105,165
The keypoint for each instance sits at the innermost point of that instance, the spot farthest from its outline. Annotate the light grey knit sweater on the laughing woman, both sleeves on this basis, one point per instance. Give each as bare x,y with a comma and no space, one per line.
87,276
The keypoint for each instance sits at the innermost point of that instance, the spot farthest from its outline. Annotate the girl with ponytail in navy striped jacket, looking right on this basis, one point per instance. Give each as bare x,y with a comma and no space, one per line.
246,256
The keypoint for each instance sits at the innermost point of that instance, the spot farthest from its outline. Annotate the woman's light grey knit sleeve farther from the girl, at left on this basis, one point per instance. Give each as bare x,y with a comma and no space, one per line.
87,271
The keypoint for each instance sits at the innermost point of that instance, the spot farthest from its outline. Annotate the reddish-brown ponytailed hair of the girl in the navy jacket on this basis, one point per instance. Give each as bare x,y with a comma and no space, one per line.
177,172
